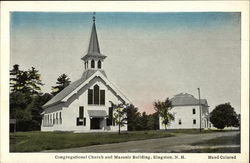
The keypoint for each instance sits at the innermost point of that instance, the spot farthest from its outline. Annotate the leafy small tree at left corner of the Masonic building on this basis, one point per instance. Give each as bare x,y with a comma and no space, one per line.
163,108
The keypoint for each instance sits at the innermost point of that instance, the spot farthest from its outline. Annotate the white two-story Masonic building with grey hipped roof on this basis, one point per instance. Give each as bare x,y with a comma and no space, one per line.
185,108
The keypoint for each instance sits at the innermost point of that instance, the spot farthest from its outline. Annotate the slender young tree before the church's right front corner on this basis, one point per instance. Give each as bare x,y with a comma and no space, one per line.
119,115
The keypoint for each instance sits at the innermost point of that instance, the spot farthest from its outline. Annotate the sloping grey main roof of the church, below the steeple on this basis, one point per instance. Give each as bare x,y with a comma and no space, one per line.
67,90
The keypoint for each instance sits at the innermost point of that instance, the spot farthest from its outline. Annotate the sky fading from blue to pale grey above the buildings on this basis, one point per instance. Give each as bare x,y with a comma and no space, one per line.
150,56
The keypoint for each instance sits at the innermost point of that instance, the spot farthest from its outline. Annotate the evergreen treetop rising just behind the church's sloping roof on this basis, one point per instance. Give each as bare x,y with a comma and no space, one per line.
62,81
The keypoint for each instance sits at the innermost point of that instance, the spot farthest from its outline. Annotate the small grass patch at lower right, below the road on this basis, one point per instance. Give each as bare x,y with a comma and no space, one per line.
225,140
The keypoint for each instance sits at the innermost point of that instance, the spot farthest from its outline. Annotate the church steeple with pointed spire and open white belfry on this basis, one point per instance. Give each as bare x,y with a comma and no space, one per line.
93,59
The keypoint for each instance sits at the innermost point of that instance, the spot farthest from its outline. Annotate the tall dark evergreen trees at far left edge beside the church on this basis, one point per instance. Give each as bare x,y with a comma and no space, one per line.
26,98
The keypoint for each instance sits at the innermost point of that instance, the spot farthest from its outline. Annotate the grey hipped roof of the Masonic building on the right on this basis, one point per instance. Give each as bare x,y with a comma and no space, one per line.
185,99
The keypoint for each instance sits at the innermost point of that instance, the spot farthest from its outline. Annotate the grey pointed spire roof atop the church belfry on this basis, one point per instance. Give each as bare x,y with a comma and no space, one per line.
94,49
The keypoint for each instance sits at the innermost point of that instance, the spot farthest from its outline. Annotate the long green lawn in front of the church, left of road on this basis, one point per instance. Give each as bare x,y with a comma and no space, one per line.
36,141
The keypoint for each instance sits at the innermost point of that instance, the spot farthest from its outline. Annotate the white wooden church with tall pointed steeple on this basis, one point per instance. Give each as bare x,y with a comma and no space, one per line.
85,105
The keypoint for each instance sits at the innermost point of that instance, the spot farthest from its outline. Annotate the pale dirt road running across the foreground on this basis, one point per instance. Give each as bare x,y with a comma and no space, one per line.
168,144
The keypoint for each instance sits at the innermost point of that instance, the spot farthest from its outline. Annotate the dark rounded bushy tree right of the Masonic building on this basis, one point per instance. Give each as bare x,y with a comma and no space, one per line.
224,116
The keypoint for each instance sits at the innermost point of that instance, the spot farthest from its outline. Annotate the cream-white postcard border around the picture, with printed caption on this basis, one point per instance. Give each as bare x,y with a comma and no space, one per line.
123,6
